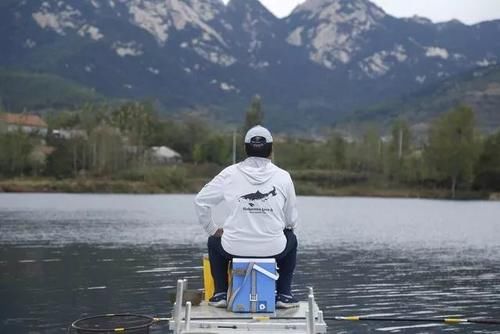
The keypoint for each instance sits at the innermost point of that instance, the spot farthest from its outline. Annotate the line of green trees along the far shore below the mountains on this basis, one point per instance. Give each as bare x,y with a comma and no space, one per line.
113,141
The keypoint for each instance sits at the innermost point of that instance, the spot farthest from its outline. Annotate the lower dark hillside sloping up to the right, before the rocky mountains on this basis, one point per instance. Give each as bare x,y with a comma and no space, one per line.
478,89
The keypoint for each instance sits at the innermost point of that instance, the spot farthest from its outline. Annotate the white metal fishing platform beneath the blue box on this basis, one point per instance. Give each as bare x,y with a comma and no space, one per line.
305,319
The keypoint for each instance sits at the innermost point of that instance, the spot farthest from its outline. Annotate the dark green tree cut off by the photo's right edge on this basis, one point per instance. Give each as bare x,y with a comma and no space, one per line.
487,170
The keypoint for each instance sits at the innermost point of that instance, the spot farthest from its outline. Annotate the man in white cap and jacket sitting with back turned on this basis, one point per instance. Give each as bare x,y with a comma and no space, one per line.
263,214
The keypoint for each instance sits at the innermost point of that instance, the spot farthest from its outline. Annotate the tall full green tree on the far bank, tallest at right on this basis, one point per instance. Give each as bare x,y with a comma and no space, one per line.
451,150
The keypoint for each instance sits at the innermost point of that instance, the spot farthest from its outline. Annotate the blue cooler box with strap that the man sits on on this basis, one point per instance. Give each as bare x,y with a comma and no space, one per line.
253,287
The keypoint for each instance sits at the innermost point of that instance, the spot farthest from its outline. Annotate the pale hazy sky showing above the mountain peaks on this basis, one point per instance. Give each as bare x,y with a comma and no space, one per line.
467,11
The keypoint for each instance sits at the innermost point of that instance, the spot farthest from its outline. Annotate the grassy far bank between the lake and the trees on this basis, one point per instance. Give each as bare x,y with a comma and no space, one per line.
190,178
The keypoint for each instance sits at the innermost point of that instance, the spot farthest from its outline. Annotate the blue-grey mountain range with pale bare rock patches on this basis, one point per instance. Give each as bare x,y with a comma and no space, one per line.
314,67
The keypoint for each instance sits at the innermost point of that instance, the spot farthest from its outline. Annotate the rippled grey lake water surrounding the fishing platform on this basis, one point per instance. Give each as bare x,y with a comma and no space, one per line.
67,256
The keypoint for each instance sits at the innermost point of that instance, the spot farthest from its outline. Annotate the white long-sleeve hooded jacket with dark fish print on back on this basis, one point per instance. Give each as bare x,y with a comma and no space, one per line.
262,203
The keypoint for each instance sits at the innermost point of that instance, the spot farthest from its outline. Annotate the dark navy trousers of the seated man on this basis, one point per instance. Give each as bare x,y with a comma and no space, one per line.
286,260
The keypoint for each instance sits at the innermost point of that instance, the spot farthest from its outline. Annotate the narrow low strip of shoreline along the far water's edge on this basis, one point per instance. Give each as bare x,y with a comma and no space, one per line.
106,186
